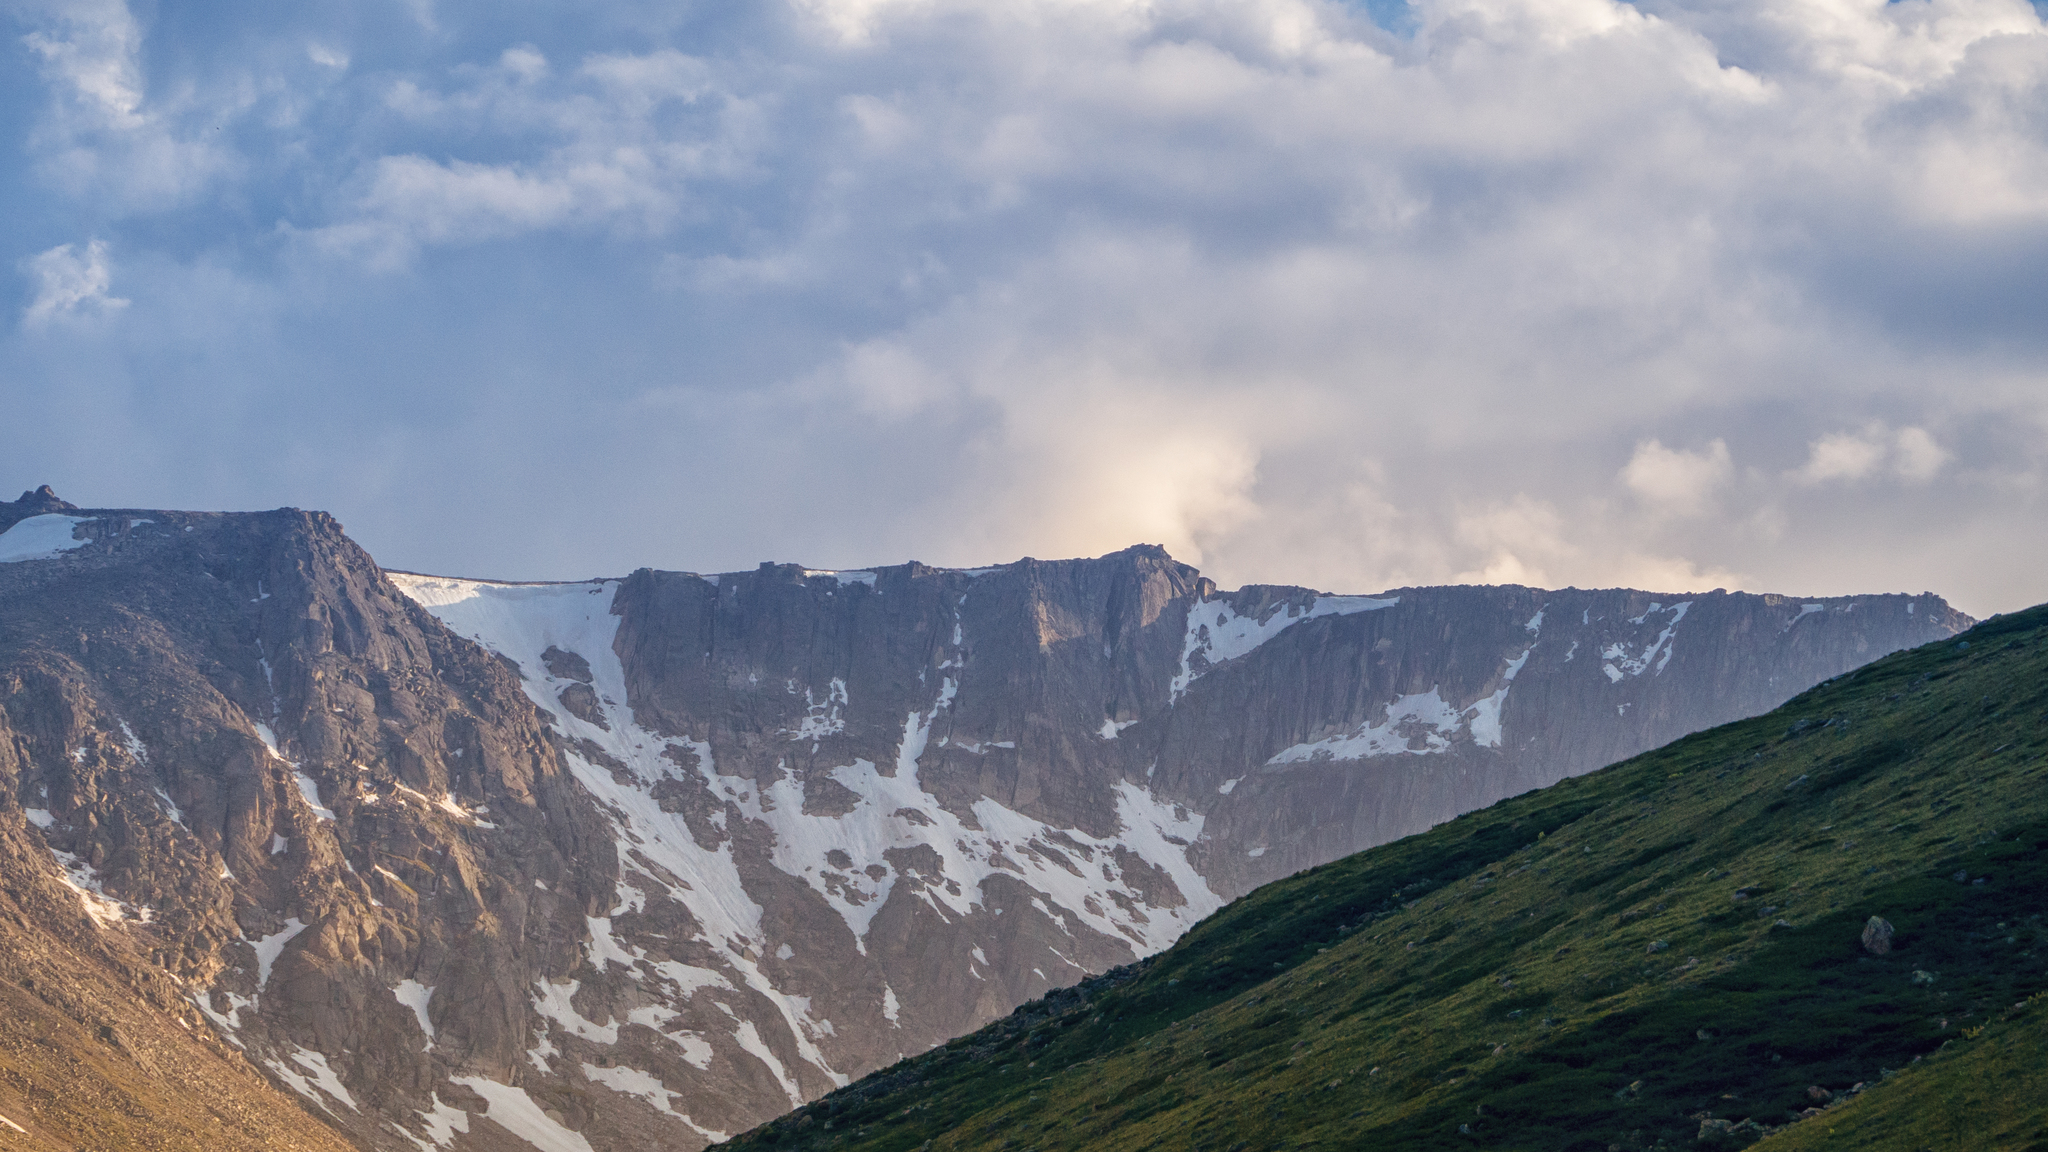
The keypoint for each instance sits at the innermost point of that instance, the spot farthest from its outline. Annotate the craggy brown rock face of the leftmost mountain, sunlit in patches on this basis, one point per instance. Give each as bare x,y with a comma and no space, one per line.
341,829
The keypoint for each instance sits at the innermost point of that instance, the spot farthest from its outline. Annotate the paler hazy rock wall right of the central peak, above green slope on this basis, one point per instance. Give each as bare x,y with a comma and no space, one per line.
1361,727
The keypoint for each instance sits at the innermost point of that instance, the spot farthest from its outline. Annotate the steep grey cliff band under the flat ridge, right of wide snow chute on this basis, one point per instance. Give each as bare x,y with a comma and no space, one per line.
1291,725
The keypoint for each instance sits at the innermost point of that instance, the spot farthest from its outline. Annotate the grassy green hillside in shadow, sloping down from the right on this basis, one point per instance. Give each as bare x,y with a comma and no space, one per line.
1644,956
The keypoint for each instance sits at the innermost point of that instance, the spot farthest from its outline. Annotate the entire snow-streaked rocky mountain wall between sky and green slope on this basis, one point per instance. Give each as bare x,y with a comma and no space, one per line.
646,862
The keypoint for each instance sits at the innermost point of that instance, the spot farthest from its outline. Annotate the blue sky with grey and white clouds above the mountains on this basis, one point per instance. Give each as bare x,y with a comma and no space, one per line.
1676,294
